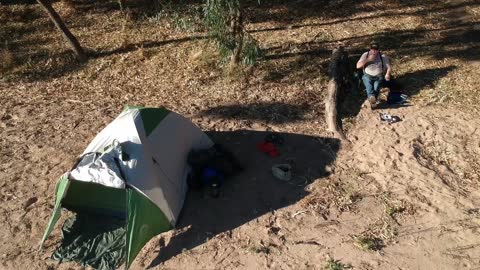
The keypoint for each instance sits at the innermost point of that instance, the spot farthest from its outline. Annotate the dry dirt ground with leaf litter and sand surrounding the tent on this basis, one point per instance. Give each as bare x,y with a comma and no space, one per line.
398,196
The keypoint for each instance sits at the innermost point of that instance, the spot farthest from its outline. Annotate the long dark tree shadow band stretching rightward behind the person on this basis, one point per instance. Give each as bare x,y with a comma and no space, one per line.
400,43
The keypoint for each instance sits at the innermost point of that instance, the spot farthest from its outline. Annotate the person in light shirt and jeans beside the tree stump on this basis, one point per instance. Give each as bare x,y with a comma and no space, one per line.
376,69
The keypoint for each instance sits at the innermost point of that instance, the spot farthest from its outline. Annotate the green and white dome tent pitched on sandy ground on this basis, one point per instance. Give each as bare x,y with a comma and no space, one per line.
135,169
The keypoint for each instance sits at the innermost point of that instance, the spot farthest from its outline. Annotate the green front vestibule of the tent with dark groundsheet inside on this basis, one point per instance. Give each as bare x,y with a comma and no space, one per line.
103,241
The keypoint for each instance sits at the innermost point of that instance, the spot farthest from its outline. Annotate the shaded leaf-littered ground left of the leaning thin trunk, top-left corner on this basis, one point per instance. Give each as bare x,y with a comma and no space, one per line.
27,43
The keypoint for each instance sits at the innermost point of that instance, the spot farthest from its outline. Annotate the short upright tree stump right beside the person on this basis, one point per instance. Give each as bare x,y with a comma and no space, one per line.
339,70
